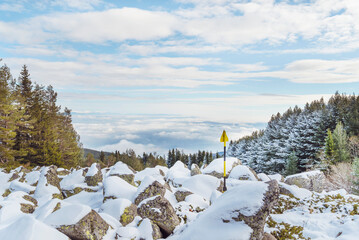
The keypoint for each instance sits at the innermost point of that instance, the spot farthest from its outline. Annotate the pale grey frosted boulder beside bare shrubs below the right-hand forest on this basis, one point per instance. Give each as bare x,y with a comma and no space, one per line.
312,180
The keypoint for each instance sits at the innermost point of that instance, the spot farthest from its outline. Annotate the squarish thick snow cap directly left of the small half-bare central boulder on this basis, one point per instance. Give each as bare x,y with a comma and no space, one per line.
117,187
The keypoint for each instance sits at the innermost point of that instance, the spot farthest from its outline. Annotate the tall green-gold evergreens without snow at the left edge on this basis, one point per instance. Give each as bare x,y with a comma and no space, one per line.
33,129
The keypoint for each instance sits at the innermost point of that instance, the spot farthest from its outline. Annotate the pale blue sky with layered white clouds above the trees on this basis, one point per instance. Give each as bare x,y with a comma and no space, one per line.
161,74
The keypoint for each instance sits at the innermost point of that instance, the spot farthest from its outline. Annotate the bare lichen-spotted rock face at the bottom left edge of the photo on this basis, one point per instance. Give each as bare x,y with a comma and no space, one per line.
92,226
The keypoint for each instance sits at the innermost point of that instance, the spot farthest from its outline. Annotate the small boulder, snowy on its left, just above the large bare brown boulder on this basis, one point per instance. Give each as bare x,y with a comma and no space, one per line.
149,188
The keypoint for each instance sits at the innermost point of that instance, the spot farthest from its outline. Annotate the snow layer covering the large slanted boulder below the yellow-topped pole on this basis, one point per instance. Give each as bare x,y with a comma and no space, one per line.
246,198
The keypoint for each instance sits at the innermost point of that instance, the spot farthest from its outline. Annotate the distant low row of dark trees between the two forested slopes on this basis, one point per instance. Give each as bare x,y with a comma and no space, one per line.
138,162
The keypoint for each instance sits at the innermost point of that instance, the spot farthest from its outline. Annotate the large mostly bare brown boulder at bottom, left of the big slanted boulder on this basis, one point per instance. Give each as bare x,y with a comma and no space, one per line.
161,212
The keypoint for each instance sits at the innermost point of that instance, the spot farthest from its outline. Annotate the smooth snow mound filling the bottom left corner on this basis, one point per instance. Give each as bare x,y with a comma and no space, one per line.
28,228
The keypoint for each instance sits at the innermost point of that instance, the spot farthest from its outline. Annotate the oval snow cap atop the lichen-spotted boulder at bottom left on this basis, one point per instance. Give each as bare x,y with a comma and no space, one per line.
67,215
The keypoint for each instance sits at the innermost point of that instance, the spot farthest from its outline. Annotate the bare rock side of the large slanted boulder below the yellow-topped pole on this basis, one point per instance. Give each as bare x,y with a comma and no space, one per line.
257,221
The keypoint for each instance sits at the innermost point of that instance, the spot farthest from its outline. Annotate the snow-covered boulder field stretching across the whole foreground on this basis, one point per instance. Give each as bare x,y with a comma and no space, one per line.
33,207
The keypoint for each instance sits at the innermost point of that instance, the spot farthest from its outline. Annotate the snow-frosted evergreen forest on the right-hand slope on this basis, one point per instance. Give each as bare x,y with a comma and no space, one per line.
299,134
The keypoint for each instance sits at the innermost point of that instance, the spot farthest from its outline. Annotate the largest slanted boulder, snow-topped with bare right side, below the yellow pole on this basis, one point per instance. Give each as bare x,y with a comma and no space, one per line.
239,213
